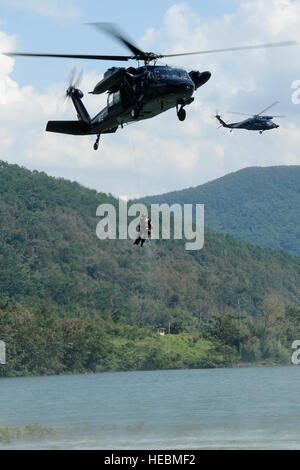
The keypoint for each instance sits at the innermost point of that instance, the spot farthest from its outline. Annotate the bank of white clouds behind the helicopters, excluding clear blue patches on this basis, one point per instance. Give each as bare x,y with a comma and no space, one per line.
164,154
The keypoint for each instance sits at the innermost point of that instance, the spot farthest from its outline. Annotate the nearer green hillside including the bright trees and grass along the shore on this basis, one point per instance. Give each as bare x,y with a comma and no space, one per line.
70,302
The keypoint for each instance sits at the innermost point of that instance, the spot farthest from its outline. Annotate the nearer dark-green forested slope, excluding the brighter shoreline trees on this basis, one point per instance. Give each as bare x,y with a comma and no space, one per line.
49,251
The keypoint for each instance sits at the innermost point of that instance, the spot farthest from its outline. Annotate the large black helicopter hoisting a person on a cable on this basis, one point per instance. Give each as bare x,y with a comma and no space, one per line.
133,93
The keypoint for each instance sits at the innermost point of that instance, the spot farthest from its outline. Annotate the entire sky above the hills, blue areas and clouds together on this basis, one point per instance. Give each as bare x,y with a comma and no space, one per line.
161,154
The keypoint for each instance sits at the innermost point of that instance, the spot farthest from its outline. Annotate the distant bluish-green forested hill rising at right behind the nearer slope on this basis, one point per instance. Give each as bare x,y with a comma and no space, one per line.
257,205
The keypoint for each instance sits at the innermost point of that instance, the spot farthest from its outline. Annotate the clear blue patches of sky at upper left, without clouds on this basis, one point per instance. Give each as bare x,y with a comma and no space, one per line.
47,30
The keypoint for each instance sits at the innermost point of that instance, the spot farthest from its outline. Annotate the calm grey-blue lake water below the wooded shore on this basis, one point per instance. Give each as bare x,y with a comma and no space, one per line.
249,408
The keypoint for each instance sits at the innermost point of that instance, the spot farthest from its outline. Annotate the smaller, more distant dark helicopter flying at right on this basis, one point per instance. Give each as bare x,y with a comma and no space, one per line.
256,122
